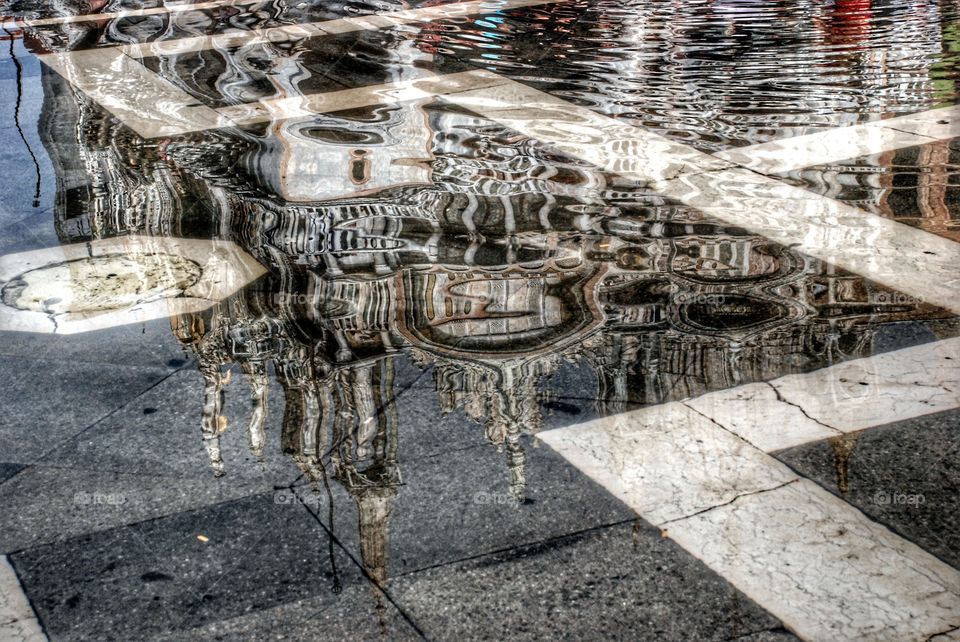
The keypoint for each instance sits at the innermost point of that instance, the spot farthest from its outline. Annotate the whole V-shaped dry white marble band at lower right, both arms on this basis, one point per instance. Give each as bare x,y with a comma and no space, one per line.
820,565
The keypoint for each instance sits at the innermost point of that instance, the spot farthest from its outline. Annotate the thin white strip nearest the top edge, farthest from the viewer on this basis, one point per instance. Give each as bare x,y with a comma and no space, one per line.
286,33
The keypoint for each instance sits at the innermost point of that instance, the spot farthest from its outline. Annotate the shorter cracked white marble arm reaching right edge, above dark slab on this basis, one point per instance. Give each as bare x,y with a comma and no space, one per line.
848,397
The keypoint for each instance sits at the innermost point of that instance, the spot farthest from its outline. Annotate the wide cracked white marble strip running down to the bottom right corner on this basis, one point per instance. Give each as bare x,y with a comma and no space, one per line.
809,558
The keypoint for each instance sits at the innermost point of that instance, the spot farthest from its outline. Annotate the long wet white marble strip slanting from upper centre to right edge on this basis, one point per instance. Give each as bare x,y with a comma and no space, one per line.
906,259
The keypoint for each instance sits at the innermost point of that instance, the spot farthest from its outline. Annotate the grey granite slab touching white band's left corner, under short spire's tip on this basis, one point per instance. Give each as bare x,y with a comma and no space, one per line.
459,504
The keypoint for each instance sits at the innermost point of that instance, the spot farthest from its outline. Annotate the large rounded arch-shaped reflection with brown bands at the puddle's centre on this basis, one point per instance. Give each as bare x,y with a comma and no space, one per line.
505,314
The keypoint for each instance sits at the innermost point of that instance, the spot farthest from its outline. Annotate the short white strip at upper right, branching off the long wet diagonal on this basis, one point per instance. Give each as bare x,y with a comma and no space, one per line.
847,143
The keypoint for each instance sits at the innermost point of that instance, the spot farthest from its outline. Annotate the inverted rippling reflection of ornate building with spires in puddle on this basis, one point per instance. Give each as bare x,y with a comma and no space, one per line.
424,229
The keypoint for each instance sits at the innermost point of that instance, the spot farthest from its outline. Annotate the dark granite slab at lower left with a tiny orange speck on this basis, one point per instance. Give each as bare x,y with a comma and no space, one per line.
189,570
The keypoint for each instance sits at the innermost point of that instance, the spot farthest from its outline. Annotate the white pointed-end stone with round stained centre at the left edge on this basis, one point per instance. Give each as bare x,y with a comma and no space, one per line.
111,282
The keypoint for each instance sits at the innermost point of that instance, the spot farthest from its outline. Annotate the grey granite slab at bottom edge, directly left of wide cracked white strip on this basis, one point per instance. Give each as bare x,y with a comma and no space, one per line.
603,584
